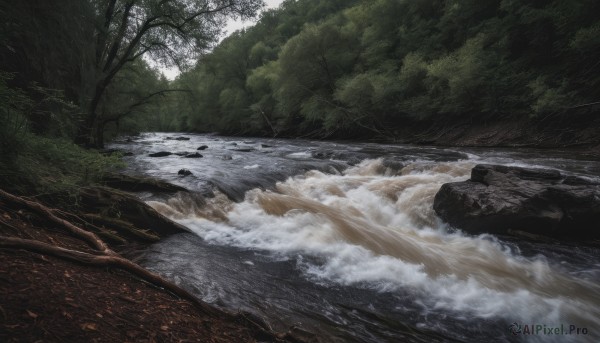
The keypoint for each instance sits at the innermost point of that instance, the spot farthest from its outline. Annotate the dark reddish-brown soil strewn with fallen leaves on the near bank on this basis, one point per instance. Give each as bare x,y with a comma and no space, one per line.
47,299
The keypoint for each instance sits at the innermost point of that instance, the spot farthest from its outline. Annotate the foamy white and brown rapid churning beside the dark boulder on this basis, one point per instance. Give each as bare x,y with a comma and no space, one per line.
375,227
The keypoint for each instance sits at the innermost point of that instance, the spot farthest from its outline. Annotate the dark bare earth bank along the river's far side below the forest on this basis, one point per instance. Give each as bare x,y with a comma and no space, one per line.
577,131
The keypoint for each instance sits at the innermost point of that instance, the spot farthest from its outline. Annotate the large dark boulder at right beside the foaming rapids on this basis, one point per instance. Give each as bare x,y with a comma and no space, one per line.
503,199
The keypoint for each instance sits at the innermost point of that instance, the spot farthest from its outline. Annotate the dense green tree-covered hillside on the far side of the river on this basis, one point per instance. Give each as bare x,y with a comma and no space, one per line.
349,68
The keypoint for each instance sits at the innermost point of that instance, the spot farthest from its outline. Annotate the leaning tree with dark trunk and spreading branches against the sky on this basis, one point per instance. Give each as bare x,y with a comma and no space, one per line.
171,32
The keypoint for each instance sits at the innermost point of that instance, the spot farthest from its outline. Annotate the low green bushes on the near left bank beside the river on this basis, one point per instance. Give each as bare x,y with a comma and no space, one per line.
31,163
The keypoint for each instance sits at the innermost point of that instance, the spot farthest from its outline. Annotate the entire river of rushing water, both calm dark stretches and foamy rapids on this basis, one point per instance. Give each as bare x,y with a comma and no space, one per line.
341,240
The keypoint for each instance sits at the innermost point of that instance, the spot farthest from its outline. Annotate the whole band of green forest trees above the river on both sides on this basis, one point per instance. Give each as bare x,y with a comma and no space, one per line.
339,69
